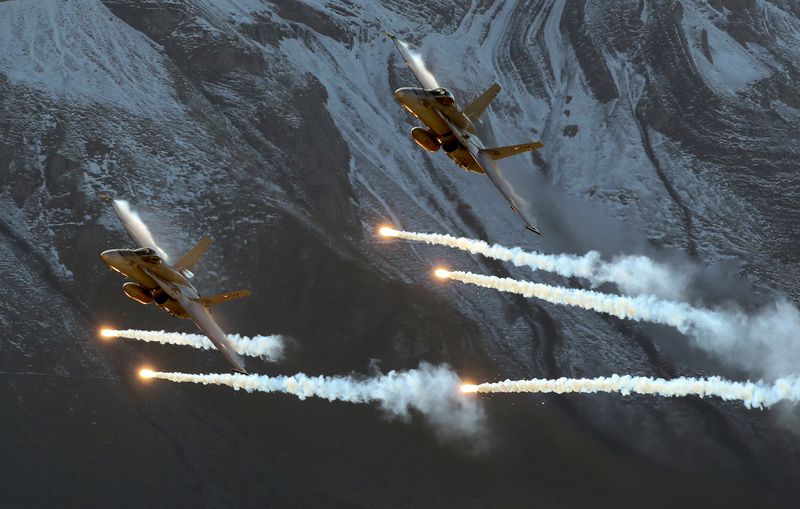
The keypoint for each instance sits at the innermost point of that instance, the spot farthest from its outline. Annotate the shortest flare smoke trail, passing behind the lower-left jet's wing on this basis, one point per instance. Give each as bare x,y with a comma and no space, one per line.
269,348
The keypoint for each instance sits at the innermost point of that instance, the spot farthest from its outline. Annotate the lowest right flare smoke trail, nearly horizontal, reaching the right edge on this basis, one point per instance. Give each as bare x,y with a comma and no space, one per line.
752,394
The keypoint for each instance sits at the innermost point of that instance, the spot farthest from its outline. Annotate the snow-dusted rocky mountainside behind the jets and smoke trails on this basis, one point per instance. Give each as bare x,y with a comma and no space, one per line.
668,128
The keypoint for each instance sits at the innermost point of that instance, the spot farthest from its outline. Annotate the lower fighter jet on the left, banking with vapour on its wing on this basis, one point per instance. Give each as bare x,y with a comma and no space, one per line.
155,280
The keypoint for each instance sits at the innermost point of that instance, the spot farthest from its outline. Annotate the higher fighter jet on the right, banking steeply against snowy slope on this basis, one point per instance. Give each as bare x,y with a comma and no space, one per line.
453,130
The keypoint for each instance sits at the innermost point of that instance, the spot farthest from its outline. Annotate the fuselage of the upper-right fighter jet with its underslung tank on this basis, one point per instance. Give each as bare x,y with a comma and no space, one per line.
437,109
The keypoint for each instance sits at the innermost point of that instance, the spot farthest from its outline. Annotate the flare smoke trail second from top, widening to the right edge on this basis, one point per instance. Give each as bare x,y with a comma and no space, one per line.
766,342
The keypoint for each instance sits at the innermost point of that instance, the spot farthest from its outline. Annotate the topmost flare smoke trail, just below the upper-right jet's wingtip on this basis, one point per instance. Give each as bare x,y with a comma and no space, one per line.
633,274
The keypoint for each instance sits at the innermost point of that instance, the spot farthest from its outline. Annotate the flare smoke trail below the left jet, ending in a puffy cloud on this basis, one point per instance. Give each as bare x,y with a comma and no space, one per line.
433,391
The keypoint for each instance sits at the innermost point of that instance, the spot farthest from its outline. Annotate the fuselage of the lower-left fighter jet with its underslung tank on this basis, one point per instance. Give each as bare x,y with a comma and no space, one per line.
132,263
